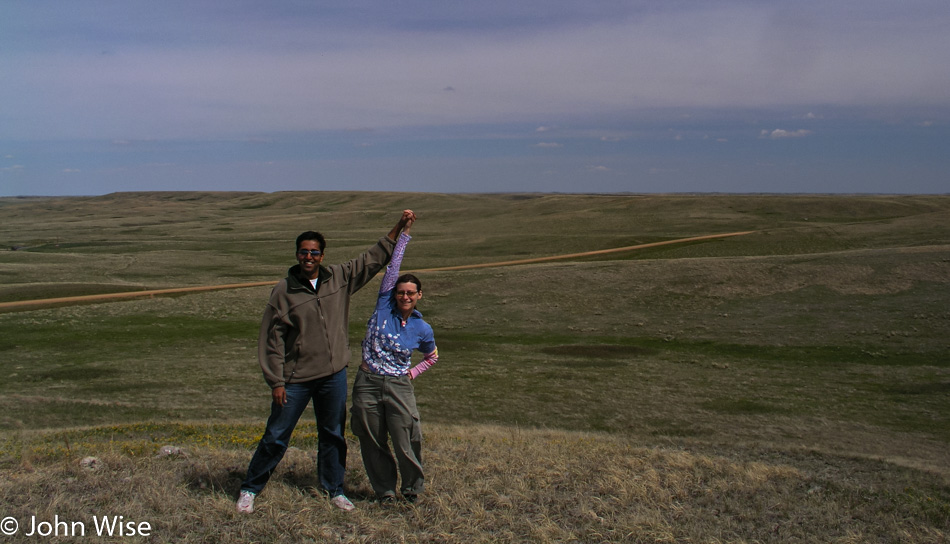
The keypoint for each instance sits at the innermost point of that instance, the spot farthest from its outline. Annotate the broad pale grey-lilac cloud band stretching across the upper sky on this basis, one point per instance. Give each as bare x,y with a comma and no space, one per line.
316,71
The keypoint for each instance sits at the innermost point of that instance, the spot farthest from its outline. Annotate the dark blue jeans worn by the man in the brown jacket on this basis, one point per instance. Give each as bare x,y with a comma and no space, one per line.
329,407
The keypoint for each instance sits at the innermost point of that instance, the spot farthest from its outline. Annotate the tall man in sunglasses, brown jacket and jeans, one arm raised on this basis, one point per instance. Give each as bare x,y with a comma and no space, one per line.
303,350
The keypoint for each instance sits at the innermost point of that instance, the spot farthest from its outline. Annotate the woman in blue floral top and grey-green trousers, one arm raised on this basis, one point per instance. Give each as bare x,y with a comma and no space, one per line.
384,405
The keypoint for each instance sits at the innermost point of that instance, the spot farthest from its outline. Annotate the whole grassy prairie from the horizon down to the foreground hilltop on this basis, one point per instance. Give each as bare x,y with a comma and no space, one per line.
788,384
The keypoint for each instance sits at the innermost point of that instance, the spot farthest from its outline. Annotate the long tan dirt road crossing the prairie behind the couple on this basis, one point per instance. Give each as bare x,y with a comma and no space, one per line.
39,303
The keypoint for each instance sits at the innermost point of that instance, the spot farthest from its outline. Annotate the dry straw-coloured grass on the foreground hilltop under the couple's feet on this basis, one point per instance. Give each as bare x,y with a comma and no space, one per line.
493,484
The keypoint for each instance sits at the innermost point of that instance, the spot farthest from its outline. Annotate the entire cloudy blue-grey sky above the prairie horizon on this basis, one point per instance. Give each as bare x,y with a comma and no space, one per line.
586,96
